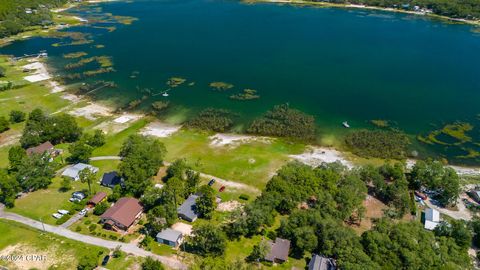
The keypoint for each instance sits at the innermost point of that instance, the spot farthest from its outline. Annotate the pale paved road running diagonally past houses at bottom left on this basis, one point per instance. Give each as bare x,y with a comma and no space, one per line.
126,247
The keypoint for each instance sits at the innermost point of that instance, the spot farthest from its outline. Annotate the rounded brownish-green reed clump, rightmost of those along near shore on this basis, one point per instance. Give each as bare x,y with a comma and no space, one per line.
378,144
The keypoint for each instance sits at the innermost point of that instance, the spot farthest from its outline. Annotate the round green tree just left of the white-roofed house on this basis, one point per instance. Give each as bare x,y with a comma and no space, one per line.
35,172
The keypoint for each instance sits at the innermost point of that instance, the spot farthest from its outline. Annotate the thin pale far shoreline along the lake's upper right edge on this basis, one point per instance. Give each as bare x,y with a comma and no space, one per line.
365,7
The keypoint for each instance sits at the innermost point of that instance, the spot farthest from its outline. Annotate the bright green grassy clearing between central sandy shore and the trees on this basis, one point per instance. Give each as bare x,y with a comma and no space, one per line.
251,163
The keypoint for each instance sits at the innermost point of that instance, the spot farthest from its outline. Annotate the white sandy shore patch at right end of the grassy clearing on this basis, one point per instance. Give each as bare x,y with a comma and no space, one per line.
315,156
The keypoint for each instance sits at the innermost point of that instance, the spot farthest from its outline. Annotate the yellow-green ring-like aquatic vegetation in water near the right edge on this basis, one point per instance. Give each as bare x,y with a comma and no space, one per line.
444,136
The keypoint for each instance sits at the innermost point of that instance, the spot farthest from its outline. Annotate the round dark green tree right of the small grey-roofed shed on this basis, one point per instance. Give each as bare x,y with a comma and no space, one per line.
207,240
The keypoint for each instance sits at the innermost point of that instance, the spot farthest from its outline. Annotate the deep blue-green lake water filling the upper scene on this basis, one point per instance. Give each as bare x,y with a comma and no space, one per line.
335,64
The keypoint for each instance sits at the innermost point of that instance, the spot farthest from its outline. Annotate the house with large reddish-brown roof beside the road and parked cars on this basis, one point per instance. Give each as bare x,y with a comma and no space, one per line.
123,214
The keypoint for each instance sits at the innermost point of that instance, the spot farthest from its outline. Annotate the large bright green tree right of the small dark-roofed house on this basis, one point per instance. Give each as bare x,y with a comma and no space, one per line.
142,157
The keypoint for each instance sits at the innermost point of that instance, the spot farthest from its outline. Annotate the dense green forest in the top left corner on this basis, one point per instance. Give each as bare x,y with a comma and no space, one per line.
16,15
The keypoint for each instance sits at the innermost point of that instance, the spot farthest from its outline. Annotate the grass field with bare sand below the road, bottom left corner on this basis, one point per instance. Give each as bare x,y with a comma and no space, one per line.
60,252
